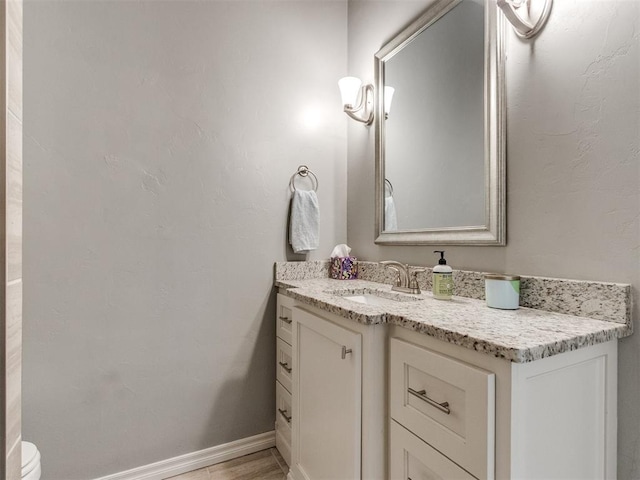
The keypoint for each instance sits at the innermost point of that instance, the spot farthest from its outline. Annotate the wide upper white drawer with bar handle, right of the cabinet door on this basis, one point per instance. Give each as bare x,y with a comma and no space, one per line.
447,403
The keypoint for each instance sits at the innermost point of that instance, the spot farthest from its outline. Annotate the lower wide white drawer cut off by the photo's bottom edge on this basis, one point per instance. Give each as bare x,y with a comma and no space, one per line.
411,458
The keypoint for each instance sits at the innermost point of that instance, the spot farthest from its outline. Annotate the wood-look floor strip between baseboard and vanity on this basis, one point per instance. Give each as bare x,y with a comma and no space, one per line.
264,465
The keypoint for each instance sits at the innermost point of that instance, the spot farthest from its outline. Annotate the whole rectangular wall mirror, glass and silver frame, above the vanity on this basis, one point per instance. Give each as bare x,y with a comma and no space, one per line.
440,149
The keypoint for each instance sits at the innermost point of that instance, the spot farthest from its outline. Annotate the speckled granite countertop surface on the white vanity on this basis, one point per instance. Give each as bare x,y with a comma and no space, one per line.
519,336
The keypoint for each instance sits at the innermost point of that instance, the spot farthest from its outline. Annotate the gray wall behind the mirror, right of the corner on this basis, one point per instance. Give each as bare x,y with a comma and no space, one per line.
573,186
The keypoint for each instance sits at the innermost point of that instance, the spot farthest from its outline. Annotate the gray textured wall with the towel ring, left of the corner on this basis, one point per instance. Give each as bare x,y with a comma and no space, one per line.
159,142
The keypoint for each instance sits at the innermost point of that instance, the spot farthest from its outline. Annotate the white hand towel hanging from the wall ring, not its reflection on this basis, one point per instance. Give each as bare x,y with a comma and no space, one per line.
304,226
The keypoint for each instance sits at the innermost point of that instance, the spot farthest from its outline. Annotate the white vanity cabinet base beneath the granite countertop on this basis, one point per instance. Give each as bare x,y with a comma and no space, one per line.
378,401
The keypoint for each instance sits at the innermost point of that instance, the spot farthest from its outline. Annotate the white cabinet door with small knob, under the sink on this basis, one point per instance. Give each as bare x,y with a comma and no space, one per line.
327,401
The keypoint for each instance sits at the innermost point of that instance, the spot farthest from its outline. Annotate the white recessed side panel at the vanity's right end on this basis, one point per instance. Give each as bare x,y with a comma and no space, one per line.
564,417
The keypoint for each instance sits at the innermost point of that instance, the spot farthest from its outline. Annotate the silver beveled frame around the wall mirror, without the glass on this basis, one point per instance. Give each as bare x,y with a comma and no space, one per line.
494,230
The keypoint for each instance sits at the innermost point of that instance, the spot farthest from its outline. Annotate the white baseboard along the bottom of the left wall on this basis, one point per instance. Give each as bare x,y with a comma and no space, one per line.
193,461
